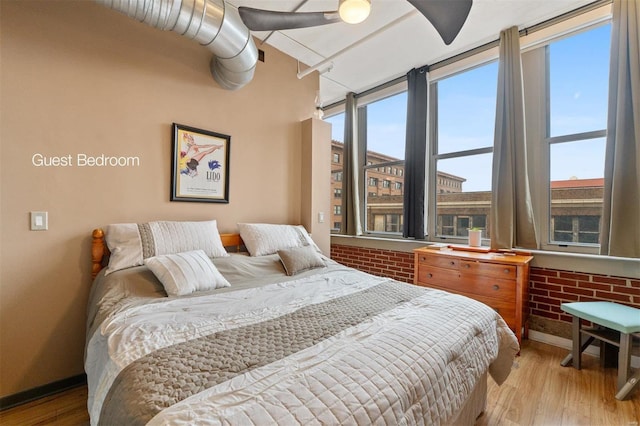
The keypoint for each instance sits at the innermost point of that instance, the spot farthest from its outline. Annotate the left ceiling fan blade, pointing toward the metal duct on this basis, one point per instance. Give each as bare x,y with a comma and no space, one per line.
267,20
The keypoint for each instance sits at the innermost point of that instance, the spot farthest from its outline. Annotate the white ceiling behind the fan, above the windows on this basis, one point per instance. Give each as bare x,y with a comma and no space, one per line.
394,39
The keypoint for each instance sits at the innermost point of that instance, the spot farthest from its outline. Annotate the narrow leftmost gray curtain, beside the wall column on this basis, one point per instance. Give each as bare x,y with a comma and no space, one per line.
350,172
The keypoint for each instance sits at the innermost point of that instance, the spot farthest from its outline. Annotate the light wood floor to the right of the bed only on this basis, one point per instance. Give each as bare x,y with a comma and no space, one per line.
541,392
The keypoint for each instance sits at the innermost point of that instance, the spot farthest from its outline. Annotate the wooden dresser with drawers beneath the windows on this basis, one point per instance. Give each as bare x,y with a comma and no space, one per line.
498,280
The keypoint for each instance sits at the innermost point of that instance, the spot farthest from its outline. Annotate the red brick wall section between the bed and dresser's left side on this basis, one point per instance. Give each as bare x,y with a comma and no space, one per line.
383,263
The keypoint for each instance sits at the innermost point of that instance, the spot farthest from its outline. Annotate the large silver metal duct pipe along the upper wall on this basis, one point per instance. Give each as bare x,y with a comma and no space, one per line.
211,23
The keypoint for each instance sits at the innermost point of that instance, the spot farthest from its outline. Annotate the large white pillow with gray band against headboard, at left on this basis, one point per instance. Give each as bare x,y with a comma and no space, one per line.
131,243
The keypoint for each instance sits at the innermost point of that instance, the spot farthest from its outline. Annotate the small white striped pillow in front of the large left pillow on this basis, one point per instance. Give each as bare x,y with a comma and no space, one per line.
185,273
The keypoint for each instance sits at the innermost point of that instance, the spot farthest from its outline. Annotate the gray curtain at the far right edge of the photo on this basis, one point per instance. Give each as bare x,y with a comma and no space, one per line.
620,228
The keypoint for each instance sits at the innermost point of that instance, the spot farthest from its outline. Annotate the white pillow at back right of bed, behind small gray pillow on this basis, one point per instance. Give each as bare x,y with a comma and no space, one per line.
263,238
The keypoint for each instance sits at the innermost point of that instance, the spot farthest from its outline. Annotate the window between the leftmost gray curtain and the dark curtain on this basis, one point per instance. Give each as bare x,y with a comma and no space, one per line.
385,141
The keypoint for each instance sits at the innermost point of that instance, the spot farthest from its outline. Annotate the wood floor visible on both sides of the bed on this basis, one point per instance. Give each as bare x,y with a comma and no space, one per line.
538,392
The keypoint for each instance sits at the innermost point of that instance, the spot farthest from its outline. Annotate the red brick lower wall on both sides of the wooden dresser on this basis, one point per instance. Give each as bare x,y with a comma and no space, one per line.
548,288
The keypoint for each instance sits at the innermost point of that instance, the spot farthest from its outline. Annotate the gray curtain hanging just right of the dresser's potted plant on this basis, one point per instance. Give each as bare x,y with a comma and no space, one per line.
511,218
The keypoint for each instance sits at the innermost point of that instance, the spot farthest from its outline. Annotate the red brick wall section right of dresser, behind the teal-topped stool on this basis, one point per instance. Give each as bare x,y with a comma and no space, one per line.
549,288
